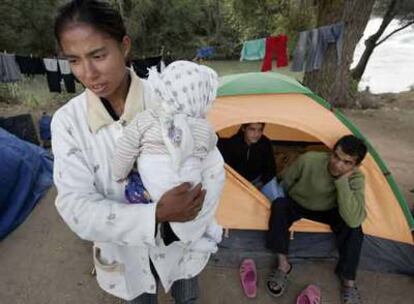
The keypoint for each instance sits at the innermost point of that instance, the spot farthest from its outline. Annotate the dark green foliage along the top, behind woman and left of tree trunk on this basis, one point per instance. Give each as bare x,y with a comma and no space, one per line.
176,26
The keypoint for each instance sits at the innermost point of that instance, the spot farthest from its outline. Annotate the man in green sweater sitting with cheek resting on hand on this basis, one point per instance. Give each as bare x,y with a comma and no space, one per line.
328,188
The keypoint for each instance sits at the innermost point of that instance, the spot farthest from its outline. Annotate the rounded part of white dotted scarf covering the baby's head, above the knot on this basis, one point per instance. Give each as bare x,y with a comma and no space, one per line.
185,87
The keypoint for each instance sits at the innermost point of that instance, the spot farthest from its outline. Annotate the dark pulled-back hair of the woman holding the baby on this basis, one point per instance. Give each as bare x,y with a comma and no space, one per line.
98,14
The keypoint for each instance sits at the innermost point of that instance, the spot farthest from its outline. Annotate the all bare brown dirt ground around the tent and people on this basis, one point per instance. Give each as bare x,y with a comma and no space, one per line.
44,262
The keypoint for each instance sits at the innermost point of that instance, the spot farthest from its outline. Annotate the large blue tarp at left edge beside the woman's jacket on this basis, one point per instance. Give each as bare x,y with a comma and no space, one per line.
25,175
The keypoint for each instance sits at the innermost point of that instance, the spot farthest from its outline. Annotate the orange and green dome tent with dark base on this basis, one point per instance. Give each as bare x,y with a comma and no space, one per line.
294,114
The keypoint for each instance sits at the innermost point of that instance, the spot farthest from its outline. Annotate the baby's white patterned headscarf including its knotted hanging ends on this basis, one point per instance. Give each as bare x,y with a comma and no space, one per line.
184,93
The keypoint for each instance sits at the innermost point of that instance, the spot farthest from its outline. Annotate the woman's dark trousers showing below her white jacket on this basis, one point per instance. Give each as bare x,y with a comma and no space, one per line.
183,292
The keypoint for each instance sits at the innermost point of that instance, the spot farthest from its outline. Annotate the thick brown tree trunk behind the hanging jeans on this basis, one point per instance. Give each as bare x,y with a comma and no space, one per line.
333,81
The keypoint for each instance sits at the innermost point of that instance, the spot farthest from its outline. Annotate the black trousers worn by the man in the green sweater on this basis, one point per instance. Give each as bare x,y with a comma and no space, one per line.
285,211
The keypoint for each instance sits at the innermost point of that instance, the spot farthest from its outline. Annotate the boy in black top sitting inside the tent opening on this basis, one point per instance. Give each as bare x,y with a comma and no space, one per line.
249,152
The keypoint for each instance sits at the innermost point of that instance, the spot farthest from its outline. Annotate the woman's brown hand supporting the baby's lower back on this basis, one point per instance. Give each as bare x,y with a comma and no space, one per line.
180,204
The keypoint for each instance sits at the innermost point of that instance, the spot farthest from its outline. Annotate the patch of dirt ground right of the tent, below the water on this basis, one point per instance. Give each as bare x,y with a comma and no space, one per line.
390,129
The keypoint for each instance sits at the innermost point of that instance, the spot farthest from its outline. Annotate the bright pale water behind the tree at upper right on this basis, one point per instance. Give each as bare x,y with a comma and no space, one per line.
391,65
